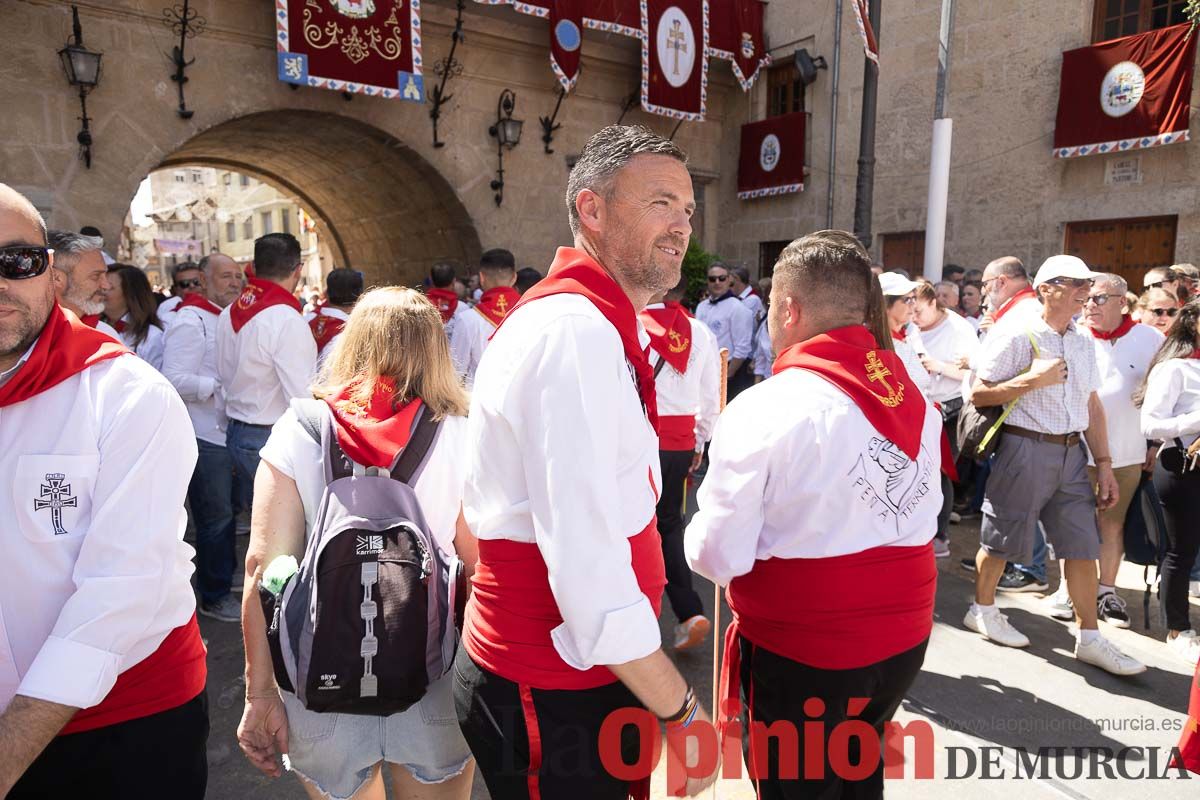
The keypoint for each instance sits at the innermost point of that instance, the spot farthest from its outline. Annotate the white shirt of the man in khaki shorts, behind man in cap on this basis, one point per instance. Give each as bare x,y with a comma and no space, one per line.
1123,366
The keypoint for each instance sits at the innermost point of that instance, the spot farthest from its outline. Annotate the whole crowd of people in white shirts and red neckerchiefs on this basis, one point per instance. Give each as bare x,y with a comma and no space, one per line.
536,435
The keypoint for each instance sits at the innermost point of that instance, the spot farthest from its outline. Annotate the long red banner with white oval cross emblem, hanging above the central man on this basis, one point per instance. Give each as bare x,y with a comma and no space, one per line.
675,58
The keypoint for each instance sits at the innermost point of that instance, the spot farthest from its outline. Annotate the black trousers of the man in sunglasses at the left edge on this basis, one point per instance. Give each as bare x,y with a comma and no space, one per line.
154,757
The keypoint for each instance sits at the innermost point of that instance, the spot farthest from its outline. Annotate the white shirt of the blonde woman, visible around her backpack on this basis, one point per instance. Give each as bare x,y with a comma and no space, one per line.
439,489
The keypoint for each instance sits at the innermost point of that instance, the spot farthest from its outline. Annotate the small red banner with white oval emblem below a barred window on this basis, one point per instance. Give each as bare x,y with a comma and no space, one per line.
772,160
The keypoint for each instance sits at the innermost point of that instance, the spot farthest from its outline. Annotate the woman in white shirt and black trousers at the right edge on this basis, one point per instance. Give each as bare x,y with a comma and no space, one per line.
1171,412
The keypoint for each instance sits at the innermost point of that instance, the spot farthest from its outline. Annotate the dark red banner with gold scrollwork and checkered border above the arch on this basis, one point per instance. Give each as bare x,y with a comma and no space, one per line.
368,47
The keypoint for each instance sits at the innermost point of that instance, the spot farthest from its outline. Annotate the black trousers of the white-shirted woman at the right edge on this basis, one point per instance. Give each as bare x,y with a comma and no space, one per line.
1180,496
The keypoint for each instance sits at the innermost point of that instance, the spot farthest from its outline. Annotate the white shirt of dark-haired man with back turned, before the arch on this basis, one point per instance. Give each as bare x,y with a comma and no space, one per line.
265,365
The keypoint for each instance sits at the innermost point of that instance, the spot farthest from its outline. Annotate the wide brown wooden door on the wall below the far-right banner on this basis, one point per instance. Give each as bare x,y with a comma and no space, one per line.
1127,248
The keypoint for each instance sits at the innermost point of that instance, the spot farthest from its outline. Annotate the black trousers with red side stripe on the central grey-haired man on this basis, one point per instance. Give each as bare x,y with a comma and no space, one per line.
549,739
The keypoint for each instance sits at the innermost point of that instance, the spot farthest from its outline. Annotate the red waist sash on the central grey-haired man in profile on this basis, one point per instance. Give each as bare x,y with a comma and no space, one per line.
512,612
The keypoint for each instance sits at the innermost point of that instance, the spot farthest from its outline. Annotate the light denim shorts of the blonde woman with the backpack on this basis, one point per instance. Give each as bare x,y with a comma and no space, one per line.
338,751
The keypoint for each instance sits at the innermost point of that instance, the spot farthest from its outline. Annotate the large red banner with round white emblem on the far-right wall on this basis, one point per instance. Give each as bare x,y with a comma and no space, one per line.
1126,94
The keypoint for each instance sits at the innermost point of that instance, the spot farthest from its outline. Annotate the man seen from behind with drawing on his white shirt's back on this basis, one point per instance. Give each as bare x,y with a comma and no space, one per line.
818,512
